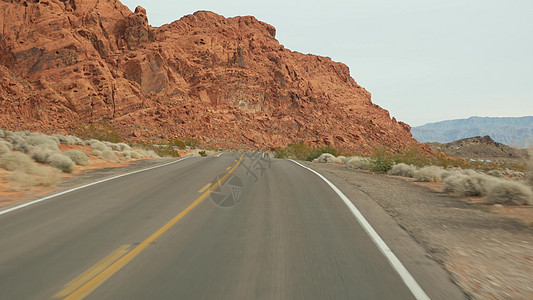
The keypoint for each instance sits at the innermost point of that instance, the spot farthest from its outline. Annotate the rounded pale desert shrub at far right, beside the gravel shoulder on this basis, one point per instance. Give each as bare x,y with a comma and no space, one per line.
510,192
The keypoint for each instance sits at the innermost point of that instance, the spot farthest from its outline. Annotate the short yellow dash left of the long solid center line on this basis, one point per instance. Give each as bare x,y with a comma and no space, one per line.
93,271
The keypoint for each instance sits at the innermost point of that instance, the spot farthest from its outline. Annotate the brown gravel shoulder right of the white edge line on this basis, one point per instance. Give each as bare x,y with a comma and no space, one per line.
488,255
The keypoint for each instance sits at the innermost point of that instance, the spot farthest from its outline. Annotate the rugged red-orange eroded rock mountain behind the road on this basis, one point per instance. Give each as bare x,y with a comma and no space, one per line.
225,81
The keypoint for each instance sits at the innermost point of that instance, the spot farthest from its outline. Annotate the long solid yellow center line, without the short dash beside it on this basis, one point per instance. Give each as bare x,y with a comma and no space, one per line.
97,280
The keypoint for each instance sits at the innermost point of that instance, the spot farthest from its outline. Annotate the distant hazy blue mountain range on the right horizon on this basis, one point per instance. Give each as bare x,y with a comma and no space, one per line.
515,132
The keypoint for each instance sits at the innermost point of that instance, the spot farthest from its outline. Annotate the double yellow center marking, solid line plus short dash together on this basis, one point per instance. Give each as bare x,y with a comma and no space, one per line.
89,280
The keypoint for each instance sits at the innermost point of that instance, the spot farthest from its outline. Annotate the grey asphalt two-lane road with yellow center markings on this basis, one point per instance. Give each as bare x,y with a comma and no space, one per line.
225,227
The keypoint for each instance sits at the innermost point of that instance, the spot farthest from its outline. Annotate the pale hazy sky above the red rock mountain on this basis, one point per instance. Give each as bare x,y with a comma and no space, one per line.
423,60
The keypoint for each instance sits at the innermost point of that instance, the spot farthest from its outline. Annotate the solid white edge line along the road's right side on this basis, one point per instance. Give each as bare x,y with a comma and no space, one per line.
409,281
